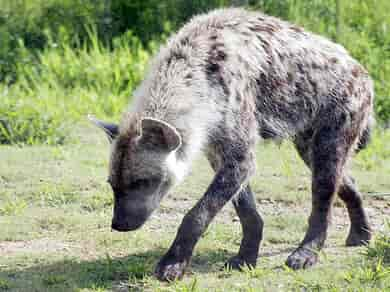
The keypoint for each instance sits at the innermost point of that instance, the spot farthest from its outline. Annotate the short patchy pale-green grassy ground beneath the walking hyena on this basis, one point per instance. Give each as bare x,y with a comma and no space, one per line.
56,207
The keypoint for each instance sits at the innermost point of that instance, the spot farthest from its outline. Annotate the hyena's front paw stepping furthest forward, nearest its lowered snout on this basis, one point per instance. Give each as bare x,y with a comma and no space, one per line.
170,268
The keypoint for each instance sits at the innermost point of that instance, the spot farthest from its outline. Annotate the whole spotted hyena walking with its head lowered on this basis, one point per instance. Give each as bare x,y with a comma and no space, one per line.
224,81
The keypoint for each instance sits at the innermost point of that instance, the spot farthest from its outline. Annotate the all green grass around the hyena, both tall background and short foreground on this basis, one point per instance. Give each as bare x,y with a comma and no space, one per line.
55,207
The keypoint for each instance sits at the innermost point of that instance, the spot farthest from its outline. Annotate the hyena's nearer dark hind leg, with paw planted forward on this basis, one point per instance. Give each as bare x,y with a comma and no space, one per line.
330,147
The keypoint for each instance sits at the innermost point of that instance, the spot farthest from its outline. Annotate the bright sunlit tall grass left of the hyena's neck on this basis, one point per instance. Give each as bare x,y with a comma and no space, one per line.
65,84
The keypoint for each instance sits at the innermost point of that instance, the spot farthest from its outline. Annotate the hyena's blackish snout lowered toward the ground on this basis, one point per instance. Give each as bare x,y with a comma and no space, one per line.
128,215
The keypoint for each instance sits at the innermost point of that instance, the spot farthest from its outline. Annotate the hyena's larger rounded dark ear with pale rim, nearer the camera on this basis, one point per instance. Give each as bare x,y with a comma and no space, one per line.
160,134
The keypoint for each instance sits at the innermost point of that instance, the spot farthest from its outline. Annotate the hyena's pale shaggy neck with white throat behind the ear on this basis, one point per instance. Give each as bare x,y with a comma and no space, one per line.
179,94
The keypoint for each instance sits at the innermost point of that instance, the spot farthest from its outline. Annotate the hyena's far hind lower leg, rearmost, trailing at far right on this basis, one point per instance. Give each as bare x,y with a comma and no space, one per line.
360,232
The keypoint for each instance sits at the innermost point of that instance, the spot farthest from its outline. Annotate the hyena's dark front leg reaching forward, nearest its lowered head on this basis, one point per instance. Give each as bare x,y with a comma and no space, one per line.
234,172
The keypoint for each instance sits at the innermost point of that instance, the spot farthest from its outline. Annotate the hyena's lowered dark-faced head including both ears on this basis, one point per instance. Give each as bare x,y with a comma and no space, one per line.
142,168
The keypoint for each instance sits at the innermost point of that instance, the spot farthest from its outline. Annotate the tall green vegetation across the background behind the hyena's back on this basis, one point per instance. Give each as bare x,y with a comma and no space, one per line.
60,59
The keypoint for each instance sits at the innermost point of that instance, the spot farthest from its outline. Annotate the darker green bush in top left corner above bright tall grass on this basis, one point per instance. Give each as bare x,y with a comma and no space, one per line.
29,21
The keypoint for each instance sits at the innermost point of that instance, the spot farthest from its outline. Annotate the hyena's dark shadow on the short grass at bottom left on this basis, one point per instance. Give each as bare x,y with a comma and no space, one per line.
73,274
